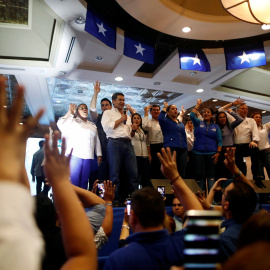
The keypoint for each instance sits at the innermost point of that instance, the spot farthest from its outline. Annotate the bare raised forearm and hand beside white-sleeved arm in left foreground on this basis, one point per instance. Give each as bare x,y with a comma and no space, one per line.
76,230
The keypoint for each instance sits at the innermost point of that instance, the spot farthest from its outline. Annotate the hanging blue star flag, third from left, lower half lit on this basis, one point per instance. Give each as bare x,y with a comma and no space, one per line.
193,59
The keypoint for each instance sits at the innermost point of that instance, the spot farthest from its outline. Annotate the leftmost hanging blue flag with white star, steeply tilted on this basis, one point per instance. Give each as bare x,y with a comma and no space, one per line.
99,28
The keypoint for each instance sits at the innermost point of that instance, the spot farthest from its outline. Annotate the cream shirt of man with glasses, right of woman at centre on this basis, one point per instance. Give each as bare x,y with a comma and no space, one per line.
154,130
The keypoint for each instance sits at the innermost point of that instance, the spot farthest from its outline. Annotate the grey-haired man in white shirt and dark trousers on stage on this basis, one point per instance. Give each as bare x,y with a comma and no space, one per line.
246,138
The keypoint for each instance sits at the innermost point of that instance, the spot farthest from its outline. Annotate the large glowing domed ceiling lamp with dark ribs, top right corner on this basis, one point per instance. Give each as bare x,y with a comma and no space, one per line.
251,11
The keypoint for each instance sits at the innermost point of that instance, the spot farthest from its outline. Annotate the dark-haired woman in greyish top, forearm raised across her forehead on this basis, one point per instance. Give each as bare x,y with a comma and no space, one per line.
227,129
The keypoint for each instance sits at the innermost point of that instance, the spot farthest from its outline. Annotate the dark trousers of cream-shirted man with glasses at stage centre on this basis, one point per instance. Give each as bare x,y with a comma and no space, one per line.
155,172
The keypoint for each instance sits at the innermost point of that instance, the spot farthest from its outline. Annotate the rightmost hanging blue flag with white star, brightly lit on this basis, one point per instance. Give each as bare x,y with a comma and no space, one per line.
245,56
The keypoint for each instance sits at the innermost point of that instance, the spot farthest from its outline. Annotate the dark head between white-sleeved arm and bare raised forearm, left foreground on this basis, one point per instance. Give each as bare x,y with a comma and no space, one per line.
45,213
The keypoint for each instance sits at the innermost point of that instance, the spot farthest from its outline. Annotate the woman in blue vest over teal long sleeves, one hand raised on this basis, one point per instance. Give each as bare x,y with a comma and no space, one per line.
207,146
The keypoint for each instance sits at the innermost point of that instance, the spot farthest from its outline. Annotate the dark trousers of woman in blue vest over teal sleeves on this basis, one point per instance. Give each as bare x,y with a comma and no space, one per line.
204,170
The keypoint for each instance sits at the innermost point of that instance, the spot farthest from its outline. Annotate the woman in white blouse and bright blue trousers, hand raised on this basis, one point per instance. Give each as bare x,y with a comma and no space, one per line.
82,137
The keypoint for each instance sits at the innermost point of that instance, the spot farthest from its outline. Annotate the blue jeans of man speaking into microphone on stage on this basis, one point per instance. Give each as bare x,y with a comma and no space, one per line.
121,153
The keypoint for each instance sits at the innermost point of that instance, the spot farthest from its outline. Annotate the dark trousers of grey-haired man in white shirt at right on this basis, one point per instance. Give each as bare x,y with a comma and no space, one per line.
243,150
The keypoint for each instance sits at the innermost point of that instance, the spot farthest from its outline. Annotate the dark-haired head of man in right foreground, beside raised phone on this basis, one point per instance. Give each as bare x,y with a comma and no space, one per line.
242,201
